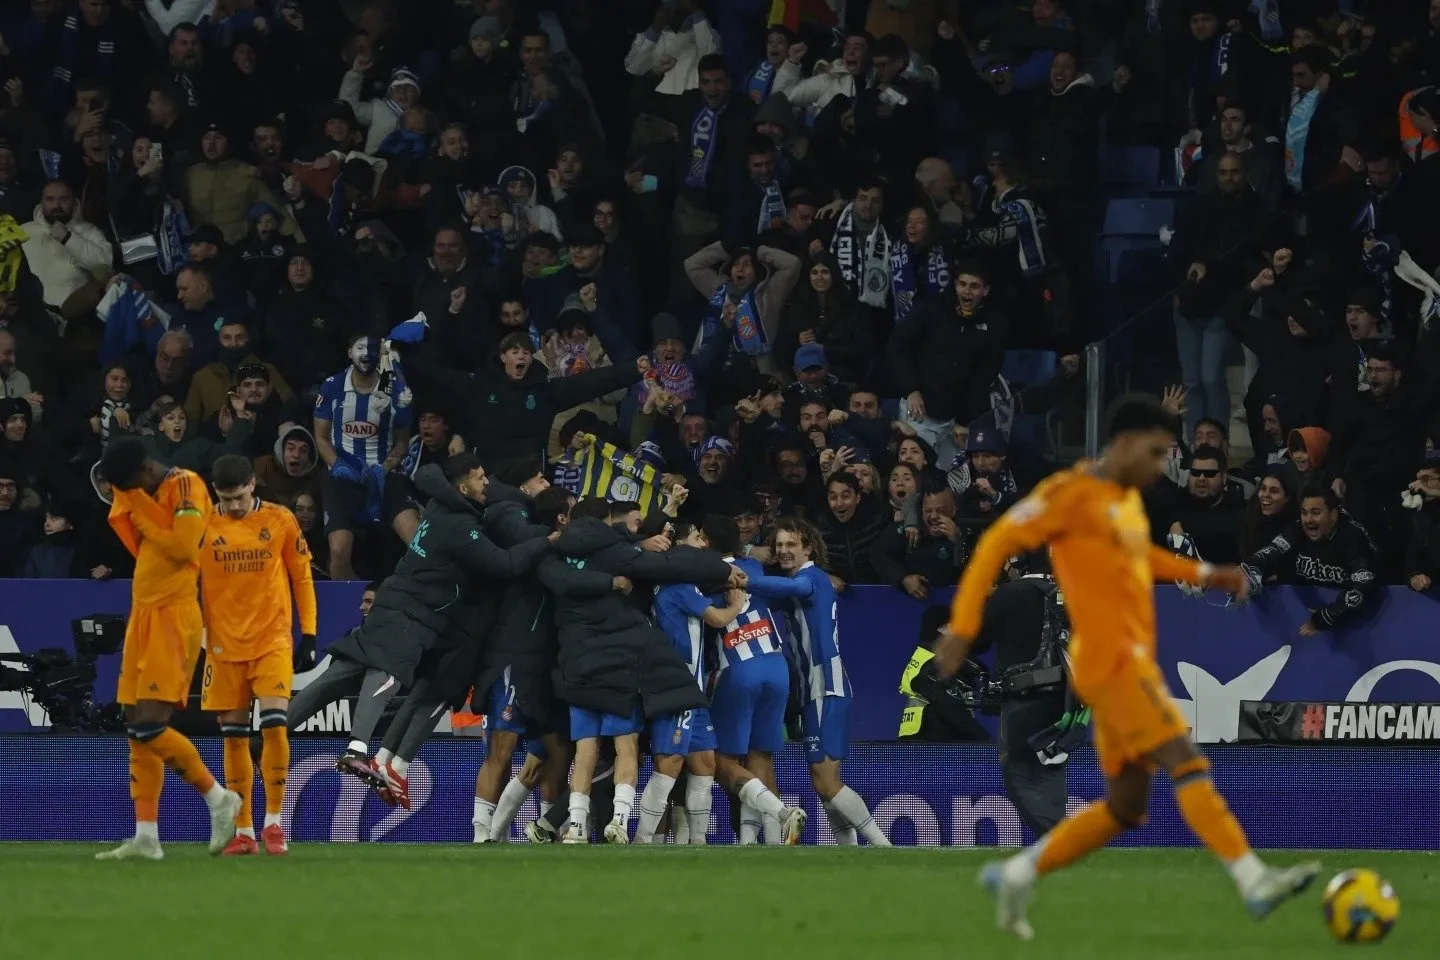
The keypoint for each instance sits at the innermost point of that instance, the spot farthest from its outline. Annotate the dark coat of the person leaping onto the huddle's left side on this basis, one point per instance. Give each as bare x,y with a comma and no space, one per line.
437,585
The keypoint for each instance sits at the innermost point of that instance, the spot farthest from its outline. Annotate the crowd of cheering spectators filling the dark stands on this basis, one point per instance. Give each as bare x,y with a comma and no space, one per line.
738,257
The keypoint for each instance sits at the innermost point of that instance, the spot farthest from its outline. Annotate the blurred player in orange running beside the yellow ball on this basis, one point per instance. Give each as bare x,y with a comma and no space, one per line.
1104,559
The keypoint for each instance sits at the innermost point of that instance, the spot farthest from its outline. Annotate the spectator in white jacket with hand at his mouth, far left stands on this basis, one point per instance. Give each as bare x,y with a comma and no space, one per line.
64,251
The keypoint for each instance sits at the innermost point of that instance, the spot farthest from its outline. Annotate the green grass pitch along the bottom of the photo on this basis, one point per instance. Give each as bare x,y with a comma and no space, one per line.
522,902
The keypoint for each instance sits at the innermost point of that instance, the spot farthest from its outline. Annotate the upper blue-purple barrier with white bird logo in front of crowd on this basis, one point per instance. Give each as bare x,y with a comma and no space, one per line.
1216,657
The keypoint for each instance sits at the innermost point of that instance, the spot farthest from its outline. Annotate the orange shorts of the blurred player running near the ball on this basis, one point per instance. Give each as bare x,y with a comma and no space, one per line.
1133,715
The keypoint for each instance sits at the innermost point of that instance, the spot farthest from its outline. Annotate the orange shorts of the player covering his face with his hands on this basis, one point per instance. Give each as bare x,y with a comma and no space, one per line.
162,648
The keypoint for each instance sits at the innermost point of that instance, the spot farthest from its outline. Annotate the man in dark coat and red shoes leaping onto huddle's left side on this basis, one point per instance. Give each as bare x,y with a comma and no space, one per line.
436,592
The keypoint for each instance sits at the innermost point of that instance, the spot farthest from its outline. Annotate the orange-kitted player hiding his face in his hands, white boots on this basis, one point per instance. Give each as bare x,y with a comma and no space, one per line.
159,515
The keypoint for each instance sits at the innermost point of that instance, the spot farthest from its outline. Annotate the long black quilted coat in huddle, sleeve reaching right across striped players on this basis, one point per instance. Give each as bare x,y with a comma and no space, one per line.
613,658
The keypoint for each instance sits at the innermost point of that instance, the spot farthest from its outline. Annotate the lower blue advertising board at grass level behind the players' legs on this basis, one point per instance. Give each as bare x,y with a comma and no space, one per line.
61,788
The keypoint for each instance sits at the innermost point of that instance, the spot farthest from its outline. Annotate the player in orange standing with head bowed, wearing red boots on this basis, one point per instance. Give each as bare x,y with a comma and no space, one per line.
253,563
